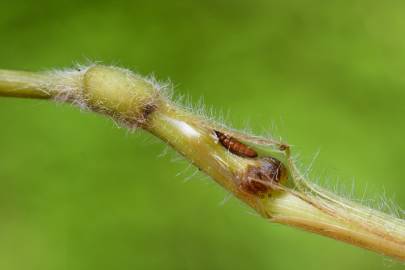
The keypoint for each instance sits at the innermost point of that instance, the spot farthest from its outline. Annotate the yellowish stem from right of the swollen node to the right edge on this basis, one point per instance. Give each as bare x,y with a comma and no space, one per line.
317,212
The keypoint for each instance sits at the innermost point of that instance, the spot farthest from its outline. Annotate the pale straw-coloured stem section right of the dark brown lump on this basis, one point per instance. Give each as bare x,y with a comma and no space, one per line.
360,229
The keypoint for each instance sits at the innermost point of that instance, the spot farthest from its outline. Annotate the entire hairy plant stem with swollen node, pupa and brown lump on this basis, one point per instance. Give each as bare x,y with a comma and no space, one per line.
259,171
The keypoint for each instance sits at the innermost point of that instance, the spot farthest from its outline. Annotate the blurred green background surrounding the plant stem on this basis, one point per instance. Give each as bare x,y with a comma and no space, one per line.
76,192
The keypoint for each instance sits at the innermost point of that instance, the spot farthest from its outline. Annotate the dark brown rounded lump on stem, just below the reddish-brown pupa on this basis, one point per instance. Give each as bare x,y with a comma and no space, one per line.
259,179
